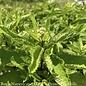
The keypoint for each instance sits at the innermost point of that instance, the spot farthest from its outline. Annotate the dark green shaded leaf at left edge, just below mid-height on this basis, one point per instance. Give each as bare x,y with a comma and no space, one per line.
6,55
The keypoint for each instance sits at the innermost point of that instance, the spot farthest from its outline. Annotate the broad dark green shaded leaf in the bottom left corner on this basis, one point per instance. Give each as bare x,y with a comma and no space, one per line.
12,75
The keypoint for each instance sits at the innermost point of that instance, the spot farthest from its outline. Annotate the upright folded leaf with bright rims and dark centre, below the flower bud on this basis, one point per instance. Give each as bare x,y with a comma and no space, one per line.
36,54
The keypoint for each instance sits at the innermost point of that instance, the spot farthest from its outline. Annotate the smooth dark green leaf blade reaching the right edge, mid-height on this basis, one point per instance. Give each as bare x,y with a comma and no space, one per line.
72,59
